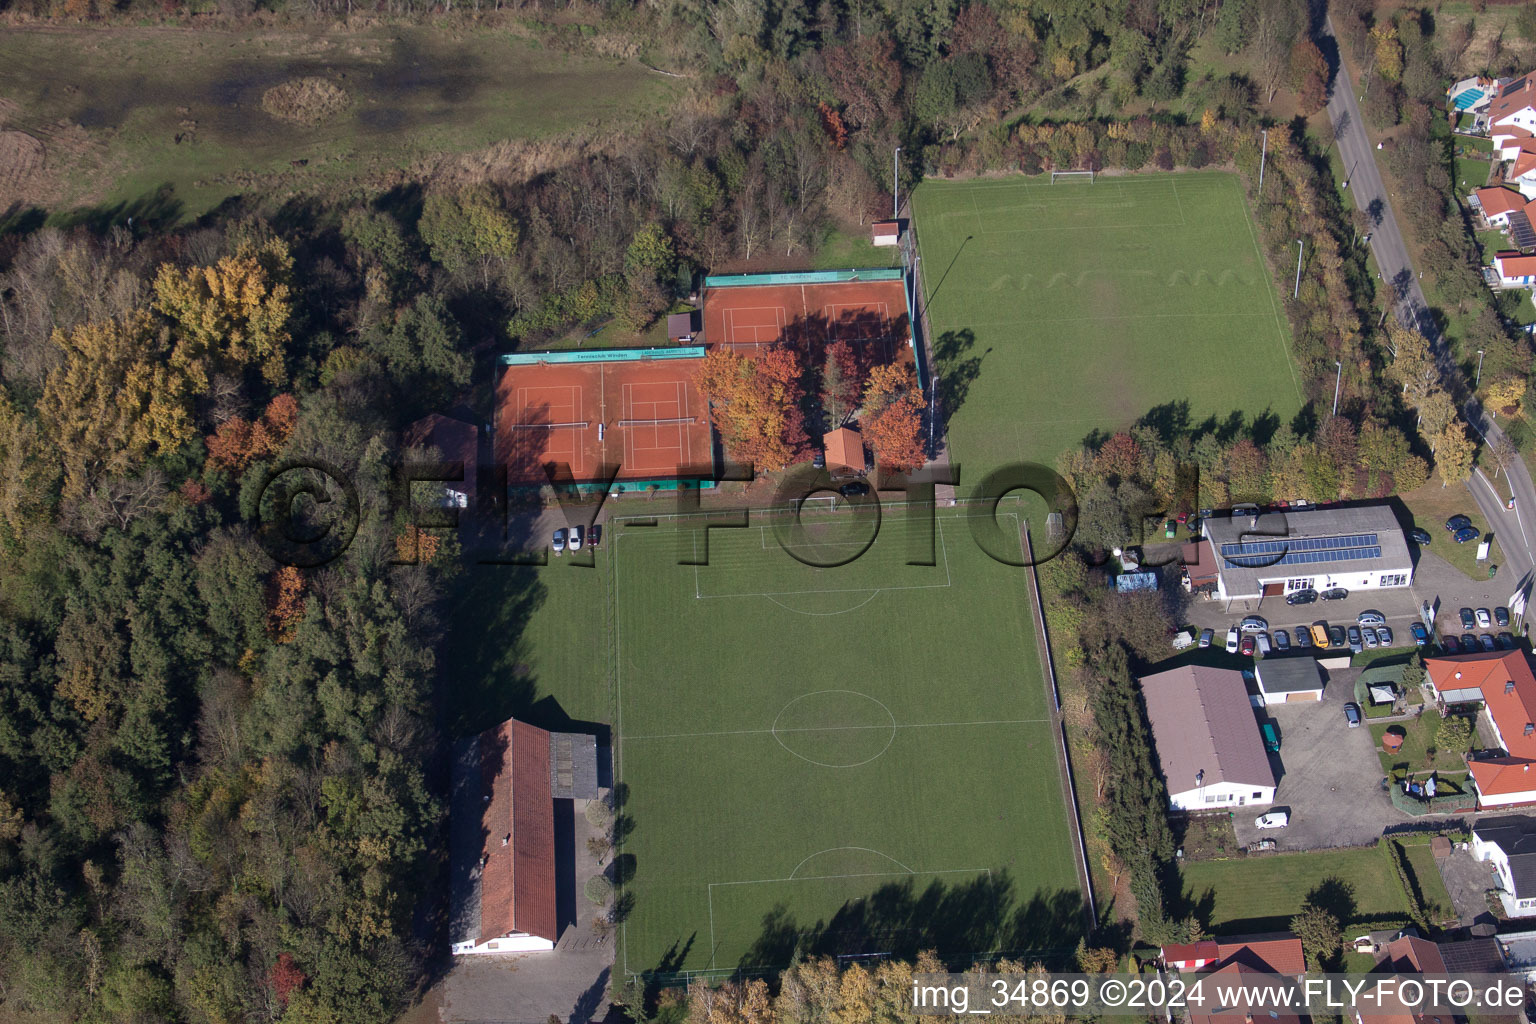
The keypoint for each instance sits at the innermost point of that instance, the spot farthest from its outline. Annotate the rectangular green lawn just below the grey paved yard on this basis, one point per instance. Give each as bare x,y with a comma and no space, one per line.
1262,894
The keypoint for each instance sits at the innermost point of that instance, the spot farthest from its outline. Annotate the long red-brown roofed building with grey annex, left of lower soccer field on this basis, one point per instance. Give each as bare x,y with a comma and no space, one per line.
505,847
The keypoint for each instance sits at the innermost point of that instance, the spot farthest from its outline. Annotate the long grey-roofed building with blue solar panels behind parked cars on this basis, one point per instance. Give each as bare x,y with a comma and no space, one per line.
1277,553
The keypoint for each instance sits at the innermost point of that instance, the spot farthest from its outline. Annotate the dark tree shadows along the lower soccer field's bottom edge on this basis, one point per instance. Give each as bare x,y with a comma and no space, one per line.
902,919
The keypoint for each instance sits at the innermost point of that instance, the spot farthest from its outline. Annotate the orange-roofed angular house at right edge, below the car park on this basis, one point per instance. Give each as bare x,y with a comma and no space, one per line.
1503,682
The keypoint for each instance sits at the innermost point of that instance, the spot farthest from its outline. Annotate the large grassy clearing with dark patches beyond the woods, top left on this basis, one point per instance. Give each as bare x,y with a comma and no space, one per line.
179,114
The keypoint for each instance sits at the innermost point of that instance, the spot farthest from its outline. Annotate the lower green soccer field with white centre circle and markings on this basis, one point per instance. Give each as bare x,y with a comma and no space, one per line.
855,759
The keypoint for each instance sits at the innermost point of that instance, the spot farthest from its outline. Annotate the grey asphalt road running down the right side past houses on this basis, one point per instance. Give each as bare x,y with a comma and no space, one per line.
1409,308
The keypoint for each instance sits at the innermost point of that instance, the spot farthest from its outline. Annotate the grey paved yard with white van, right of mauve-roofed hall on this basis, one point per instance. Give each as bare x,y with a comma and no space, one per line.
1329,776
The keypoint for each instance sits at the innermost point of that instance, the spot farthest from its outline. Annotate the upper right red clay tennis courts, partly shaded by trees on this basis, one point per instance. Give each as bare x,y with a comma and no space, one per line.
747,317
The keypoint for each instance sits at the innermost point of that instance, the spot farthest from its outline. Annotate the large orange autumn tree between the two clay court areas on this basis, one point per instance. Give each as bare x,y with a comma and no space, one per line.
755,403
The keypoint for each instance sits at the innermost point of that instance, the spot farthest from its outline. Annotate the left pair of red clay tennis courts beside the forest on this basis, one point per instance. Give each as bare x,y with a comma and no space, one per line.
644,415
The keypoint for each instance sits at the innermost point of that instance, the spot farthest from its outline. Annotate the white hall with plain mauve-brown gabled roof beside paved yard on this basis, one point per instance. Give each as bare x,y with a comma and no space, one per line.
1207,738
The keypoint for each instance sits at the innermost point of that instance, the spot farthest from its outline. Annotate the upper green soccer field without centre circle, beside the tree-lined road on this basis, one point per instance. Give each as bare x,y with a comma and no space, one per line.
1091,305
